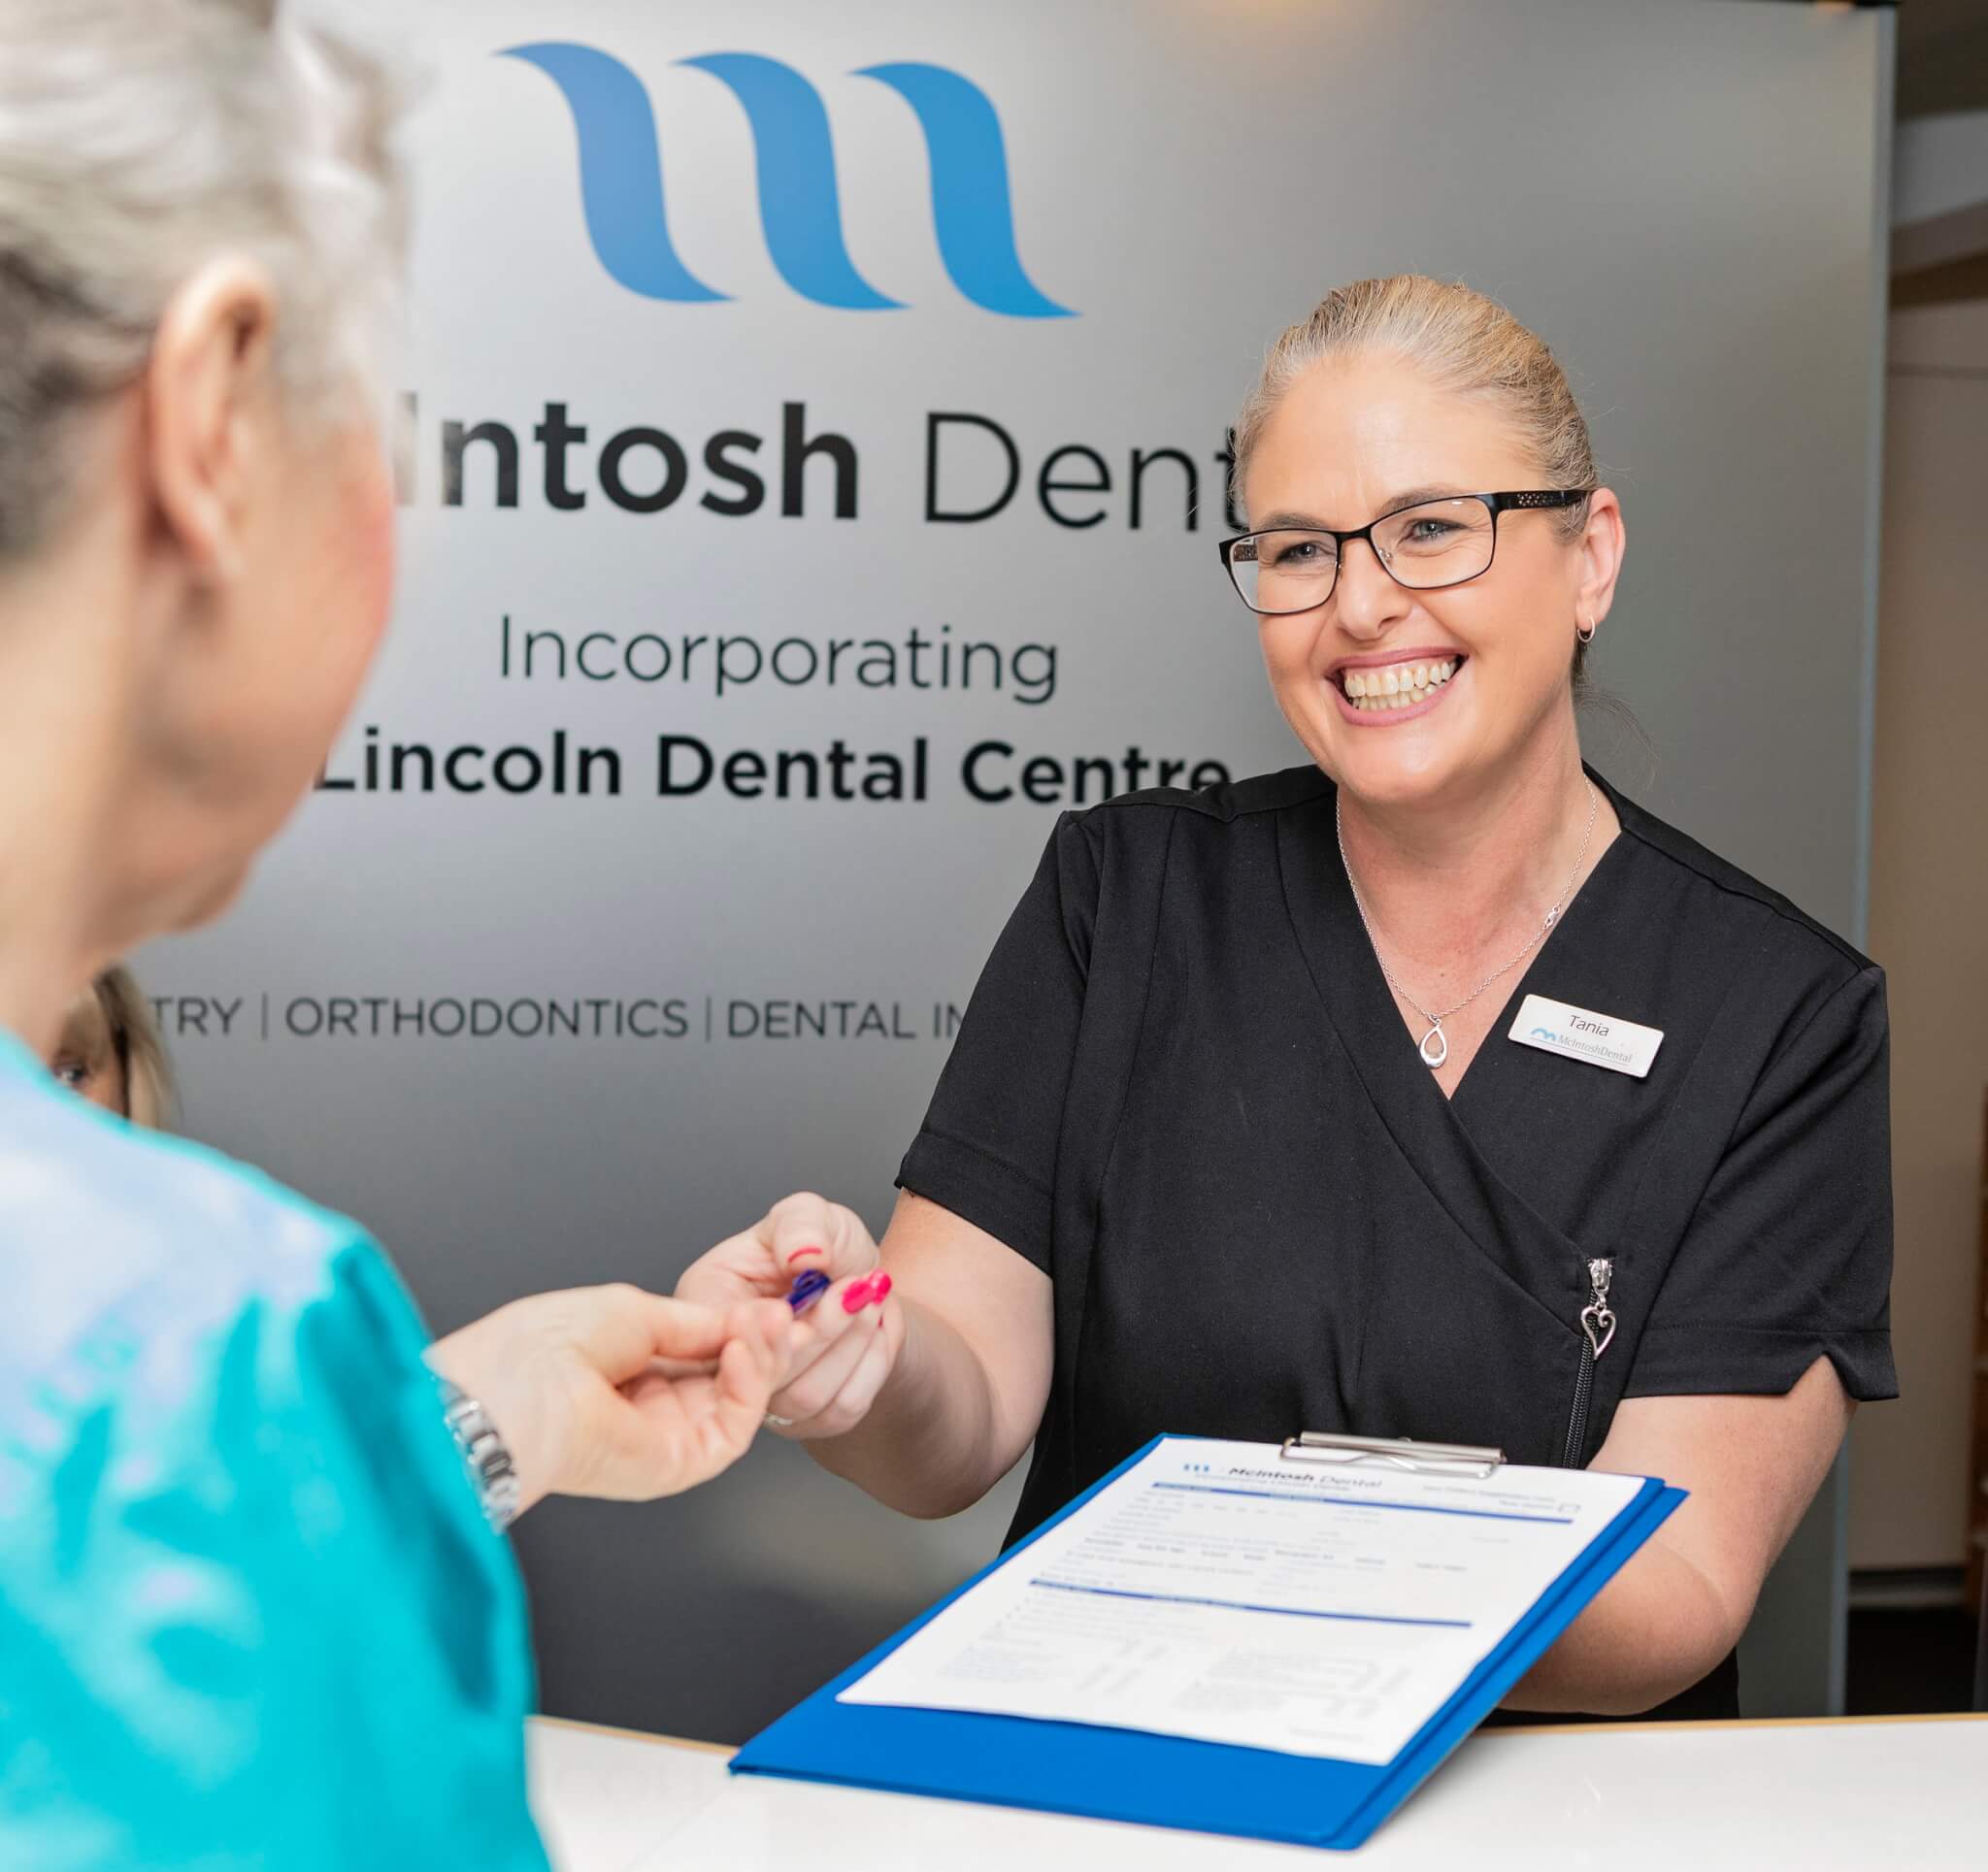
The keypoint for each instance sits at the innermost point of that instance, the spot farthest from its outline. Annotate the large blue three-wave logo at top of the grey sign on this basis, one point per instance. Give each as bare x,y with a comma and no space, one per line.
800,210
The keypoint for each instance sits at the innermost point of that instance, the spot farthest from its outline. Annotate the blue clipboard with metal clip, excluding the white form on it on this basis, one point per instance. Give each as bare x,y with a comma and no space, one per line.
1166,1780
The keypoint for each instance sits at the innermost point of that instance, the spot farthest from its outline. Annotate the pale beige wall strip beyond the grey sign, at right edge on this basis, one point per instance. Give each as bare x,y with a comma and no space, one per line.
1929,923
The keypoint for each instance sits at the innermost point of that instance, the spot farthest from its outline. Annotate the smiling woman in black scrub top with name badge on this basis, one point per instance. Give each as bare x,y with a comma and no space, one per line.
1242,1134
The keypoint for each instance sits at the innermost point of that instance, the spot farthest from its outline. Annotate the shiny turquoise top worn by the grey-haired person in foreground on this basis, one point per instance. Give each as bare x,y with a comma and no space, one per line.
249,1609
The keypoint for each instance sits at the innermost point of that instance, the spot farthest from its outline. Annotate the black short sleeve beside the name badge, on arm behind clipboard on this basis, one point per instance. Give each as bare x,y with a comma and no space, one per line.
1788,1257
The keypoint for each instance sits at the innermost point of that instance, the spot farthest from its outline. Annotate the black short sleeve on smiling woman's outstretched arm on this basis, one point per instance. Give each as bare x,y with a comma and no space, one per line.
989,1142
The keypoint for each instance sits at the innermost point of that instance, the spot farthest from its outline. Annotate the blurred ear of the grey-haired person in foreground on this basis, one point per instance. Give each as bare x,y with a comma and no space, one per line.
208,390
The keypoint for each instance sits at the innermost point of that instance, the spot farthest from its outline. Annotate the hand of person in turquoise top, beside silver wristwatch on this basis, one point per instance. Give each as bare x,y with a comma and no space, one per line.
619,1394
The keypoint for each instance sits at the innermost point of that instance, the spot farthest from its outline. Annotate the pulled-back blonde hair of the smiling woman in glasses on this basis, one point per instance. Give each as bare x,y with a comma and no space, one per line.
1462,343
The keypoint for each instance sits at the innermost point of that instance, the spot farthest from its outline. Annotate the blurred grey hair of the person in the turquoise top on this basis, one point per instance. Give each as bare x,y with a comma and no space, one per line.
144,138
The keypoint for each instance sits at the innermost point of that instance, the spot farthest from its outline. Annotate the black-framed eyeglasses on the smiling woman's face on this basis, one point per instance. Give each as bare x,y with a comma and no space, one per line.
1424,547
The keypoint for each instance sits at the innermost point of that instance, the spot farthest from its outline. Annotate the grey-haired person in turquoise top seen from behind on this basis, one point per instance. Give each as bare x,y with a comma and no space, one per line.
255,1601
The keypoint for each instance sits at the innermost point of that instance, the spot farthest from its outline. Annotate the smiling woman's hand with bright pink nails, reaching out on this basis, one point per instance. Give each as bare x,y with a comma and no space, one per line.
846,1344
